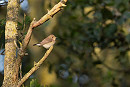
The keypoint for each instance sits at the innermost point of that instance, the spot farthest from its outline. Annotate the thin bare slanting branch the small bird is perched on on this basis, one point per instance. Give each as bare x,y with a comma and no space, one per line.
36,66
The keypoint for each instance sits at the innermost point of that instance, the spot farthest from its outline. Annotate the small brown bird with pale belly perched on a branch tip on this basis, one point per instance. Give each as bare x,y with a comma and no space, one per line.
47,42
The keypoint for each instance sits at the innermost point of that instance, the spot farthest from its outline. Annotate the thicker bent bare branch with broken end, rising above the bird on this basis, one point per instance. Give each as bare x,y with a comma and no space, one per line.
34,24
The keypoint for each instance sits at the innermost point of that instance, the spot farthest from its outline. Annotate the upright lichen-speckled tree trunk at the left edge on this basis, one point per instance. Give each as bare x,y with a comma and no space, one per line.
10,70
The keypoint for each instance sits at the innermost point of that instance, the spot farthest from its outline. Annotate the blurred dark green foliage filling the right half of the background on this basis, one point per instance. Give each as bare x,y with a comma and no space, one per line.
89,24
